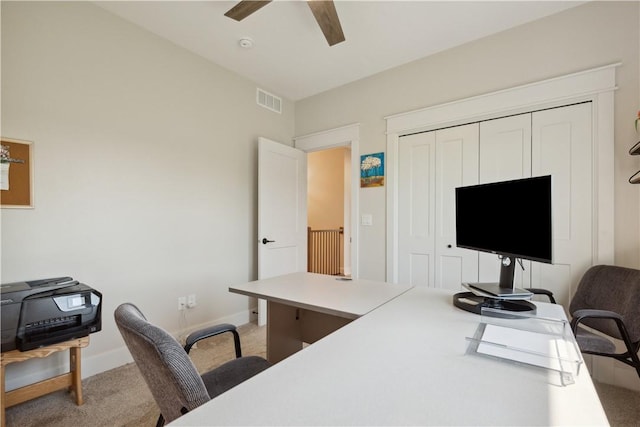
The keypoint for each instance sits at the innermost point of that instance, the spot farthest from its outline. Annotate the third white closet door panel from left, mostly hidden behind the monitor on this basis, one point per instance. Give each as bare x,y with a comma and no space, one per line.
505,154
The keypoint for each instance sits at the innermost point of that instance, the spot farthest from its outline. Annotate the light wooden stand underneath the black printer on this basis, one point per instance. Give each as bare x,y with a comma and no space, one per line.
71,380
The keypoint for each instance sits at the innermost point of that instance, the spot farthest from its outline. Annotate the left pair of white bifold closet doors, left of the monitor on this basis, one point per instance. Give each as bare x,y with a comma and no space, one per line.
431,166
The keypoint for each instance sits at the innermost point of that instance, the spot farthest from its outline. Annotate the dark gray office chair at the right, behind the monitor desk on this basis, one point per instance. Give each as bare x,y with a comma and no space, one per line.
608,300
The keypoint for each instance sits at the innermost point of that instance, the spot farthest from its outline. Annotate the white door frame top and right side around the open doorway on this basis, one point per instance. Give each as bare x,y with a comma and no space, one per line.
344,136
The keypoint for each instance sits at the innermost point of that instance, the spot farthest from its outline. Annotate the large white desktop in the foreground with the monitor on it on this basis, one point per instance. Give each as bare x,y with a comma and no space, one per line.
403,363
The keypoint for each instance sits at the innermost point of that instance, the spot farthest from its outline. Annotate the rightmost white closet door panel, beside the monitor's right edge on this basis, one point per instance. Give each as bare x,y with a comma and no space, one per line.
562,147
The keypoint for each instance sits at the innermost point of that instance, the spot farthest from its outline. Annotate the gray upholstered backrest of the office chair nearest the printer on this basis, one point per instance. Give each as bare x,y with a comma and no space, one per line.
167,369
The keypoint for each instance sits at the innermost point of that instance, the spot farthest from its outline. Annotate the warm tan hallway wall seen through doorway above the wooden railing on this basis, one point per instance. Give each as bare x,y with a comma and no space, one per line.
325,189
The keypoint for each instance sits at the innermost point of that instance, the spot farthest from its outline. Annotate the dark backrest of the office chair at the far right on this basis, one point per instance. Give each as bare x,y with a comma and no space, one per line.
613,288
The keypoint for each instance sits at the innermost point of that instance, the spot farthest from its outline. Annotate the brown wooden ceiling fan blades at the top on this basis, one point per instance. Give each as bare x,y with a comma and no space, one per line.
324,12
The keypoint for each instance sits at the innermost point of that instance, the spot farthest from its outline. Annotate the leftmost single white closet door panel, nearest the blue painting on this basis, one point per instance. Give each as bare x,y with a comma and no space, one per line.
416,211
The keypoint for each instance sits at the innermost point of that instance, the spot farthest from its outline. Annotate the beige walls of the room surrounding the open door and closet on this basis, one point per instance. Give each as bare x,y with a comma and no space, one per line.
145,155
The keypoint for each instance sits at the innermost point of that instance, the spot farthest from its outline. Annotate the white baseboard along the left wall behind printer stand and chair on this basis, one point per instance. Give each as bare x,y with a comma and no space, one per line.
34,370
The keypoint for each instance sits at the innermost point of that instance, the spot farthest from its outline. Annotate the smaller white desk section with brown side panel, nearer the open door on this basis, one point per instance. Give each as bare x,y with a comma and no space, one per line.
305,307
